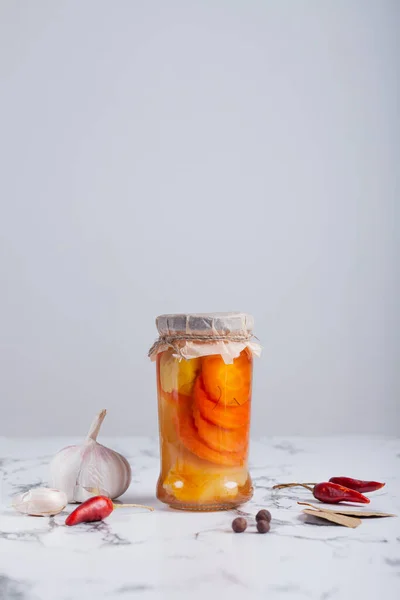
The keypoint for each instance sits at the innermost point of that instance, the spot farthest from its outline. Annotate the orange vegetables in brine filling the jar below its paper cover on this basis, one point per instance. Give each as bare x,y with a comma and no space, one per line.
204,421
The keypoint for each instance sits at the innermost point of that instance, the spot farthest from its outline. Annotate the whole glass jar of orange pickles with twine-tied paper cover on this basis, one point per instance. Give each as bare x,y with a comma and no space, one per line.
204,381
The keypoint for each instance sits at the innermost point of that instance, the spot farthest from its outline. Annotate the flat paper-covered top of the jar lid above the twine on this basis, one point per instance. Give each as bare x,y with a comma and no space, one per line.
205,324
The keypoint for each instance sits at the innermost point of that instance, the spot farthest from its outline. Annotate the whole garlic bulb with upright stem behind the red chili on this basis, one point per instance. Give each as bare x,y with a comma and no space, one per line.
90,469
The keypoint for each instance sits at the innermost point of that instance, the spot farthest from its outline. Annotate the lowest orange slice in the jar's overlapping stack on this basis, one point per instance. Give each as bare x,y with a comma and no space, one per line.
189,436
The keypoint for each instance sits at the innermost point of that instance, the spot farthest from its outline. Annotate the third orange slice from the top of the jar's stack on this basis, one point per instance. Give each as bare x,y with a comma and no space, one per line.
225,440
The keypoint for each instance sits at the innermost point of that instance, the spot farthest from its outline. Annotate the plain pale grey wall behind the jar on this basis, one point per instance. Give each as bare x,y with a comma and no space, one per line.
198,156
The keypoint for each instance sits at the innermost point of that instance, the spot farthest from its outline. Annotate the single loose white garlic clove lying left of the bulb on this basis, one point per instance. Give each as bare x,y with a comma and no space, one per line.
40,502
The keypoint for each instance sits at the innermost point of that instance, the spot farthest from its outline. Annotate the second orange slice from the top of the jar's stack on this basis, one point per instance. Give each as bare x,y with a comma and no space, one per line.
228,417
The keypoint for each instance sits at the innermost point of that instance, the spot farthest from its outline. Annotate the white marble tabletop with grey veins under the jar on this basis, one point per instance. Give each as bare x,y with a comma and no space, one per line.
176,555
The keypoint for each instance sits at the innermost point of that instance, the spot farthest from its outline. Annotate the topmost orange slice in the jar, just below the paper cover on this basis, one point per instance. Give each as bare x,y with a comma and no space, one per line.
228,384
